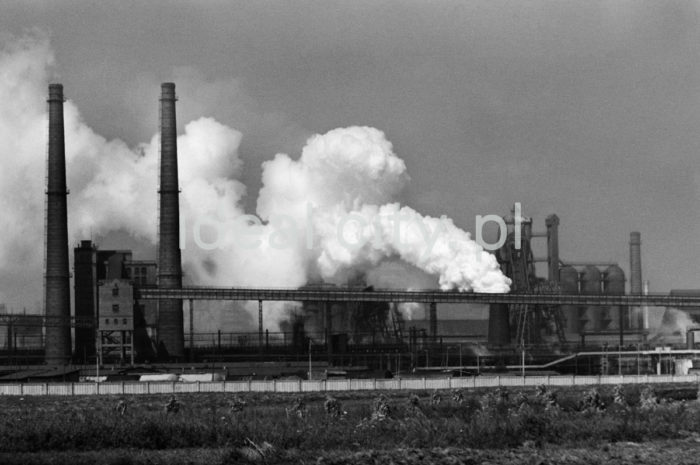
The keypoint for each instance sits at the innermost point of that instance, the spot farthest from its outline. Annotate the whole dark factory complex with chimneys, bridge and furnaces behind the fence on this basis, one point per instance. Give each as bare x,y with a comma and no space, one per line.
132,316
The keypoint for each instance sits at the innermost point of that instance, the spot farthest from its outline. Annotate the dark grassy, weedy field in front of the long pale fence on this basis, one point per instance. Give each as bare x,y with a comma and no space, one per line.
349,428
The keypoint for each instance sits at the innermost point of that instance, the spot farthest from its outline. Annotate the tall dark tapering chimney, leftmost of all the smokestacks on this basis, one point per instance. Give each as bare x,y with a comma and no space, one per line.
57,277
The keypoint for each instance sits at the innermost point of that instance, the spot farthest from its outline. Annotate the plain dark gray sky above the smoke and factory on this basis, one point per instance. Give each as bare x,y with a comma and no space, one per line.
588,109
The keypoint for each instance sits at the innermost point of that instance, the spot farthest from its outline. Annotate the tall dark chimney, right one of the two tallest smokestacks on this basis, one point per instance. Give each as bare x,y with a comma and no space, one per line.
170,325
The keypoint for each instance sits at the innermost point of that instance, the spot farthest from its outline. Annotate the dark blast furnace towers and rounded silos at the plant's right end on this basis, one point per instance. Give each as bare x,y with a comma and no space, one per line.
538,324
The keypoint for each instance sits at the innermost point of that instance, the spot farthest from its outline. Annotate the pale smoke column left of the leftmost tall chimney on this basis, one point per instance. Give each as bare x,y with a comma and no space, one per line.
23,129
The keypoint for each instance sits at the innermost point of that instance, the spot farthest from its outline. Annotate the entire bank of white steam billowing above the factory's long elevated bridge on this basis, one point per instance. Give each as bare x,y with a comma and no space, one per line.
326,216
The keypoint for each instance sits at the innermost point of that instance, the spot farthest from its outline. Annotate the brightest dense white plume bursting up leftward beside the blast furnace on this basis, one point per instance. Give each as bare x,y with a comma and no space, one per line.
336,189
